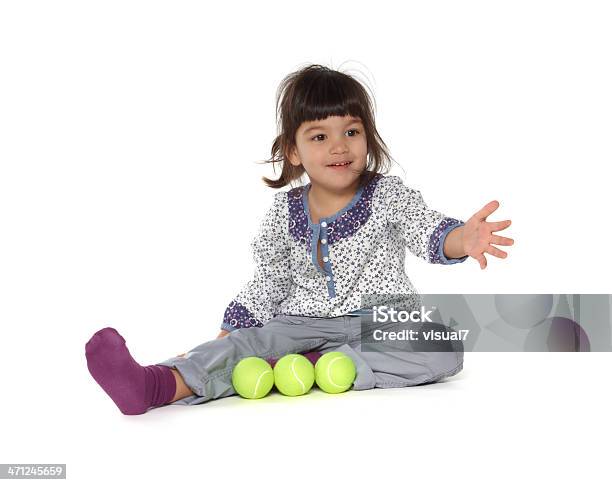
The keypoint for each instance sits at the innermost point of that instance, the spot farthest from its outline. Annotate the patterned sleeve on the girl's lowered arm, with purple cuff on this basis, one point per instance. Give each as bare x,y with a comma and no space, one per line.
257,301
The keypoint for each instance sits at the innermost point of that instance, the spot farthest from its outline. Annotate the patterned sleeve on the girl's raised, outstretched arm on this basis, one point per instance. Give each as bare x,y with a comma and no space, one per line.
423,229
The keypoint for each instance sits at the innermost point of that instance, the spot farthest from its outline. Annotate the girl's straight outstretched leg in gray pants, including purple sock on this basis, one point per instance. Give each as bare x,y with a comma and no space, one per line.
202,374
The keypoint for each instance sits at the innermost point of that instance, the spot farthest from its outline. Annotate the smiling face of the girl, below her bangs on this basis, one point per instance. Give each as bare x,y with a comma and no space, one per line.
322,143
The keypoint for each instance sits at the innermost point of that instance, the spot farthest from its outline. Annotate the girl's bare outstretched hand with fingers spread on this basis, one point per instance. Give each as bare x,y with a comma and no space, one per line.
478,237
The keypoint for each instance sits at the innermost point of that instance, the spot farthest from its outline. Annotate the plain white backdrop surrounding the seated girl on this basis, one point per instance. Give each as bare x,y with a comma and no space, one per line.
129,192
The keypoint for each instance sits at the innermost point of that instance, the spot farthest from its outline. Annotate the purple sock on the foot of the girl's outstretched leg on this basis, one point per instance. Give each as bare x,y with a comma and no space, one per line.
132,387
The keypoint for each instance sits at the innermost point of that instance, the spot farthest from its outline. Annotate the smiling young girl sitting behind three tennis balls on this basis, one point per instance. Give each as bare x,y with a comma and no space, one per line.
325,253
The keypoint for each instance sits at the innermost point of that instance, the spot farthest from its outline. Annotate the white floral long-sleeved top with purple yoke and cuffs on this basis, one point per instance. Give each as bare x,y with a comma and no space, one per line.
363,249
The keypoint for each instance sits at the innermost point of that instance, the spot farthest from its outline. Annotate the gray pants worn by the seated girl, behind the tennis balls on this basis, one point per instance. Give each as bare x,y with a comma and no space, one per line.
207,369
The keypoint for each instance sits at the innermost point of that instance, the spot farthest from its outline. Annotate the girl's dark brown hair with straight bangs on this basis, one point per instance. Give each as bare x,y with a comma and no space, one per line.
314,93
